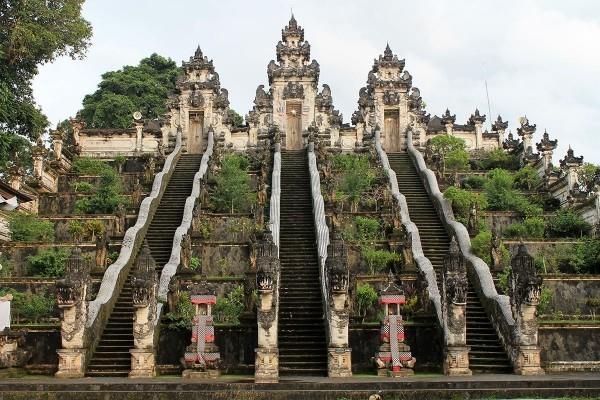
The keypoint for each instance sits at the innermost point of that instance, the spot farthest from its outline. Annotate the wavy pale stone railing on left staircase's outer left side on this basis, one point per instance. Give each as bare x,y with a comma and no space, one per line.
115,275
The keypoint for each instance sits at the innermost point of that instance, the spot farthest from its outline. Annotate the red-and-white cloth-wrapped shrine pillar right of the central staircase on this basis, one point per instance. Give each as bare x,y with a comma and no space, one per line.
394,357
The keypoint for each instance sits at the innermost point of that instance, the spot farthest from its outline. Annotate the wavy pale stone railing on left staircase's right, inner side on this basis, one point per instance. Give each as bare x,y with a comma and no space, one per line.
170,268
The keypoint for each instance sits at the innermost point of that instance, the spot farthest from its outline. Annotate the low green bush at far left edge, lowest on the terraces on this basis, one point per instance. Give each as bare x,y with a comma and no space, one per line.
29,307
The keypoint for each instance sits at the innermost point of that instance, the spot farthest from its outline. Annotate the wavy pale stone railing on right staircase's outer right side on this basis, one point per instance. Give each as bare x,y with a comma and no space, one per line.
496,305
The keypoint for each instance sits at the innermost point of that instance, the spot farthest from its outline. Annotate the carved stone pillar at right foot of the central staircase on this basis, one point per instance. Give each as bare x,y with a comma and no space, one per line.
339,364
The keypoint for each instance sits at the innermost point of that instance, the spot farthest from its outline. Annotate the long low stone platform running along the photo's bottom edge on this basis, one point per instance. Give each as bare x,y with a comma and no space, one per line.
237,387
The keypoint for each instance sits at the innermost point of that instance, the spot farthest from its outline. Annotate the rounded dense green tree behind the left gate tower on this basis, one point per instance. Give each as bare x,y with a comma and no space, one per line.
143,88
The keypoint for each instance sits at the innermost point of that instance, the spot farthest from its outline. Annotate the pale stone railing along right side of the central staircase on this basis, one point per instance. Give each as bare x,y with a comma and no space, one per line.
321,229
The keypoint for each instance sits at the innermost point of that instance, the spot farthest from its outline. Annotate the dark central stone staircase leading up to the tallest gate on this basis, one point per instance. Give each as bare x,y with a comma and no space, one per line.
302,345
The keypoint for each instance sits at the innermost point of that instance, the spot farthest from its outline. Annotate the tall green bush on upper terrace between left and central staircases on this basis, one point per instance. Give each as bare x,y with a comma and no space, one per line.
233,191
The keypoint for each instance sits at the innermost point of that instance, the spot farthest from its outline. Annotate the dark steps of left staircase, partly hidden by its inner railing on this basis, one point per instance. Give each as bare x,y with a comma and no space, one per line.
111,357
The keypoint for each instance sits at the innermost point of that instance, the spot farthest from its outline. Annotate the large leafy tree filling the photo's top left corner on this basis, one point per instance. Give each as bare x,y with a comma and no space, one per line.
34,32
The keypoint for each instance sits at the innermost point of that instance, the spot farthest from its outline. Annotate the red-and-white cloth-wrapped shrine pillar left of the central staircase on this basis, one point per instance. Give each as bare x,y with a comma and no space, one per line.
201,359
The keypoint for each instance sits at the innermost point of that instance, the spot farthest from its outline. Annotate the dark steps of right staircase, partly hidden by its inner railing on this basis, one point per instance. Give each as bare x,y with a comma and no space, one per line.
487,354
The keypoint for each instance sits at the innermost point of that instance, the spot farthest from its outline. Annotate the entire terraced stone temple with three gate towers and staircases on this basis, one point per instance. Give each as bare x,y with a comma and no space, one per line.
298,244
